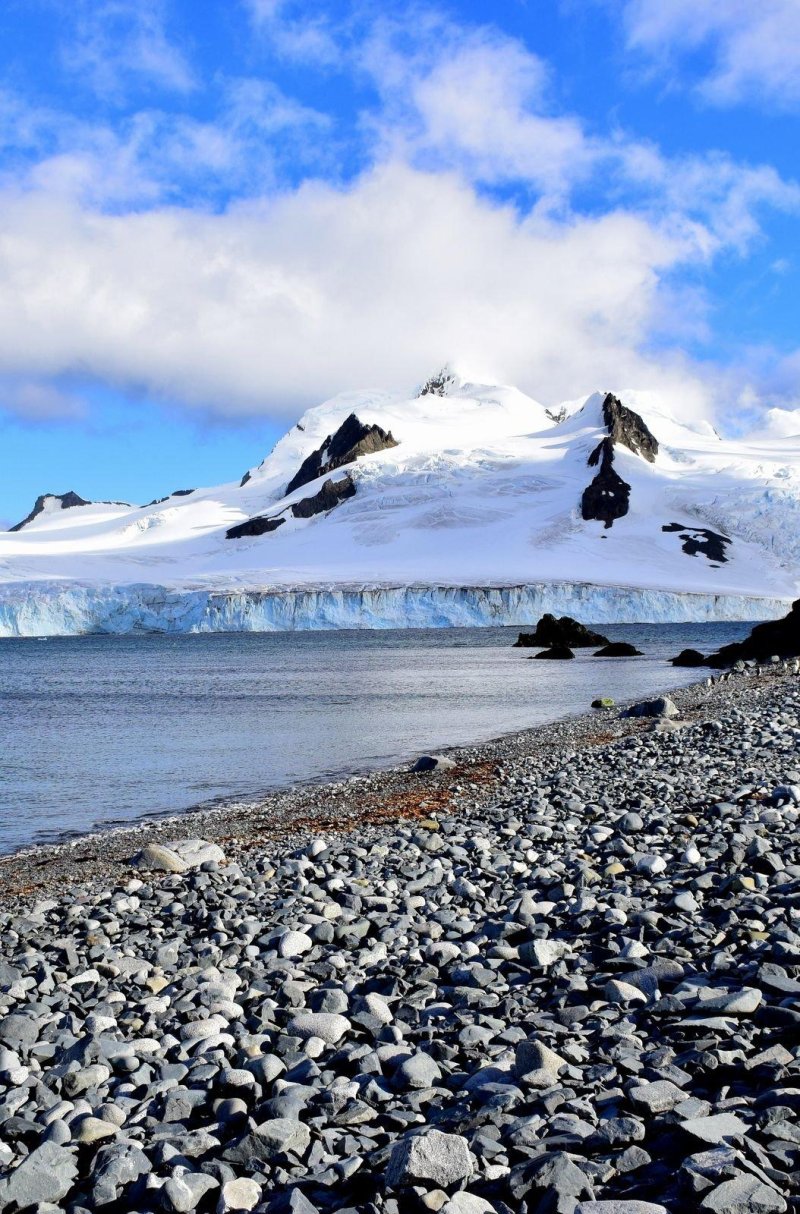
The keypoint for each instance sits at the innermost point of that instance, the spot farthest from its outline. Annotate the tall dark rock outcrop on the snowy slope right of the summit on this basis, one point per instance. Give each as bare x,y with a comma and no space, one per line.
608,497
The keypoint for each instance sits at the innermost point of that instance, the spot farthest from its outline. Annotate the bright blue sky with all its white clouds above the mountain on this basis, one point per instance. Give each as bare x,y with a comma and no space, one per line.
215,214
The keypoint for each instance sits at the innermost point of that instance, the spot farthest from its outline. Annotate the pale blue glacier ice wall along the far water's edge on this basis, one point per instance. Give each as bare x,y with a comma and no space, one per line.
38,609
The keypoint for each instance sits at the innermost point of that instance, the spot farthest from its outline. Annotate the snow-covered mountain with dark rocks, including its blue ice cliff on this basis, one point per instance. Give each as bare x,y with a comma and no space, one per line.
467,503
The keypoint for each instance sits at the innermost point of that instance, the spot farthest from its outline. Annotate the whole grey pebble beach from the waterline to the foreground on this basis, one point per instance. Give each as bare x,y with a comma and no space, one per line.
561,975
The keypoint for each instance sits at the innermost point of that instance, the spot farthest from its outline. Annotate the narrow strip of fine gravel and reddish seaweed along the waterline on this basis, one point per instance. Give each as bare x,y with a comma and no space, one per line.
285,818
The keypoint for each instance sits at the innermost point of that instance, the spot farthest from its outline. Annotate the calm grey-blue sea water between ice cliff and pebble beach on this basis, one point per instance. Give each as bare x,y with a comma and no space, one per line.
98,731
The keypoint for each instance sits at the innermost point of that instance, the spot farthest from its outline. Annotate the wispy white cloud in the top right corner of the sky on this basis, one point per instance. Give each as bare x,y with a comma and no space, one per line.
754,46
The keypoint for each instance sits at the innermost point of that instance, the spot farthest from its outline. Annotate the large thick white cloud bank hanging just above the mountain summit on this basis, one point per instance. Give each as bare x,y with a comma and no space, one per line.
269,308
